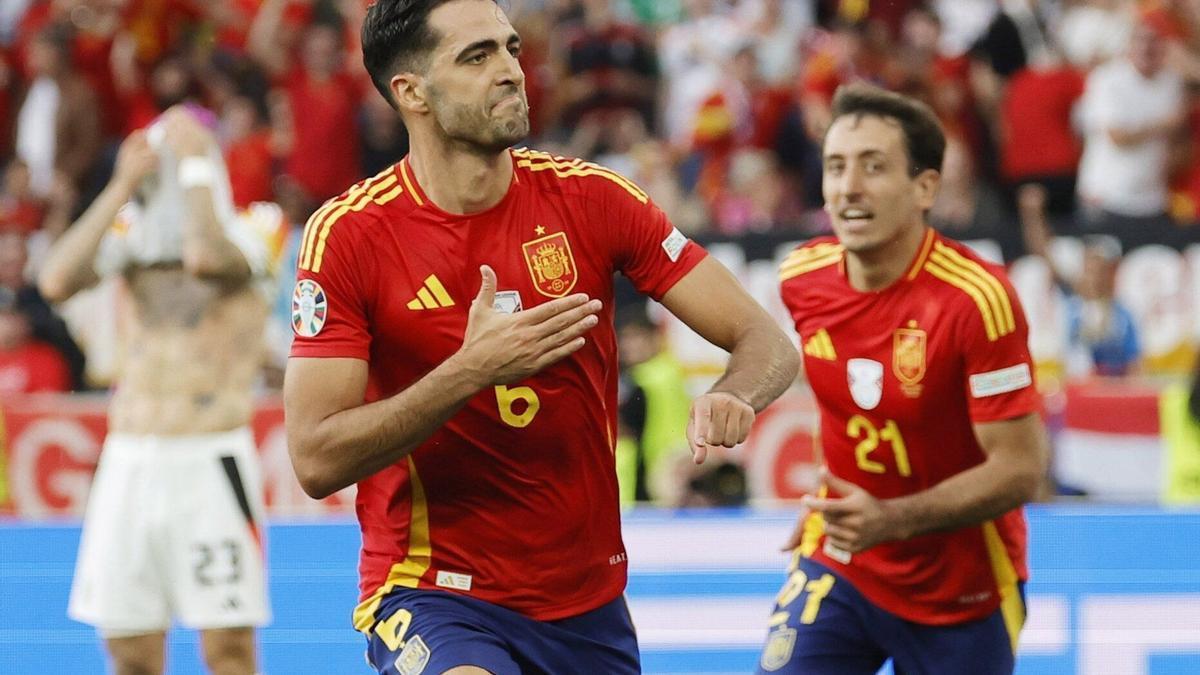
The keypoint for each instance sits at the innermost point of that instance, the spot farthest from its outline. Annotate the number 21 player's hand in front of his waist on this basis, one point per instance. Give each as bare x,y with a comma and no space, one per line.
856,521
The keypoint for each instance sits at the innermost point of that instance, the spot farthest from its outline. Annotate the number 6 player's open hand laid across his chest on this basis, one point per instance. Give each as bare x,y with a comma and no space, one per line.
502,349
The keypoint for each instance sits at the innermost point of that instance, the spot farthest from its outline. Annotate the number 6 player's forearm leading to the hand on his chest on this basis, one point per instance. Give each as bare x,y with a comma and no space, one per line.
356,444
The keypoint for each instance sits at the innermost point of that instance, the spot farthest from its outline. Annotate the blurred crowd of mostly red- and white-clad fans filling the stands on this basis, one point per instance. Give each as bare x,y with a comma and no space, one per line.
1065,117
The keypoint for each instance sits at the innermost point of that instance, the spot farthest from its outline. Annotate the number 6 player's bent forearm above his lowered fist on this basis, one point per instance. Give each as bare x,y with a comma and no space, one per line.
763,366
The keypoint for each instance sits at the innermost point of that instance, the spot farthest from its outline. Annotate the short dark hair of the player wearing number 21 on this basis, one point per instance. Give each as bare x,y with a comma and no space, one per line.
923,136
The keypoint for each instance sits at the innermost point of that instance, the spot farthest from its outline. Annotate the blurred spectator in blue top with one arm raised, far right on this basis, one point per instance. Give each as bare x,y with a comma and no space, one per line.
1102,333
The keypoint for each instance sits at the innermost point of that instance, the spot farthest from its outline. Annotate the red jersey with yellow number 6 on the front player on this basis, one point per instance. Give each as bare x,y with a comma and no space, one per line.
514,500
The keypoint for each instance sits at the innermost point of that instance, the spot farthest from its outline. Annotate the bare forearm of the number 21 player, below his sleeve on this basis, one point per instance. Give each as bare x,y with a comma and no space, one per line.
974,497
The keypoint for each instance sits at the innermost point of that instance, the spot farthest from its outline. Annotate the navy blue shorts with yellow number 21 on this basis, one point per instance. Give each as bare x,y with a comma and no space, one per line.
832,630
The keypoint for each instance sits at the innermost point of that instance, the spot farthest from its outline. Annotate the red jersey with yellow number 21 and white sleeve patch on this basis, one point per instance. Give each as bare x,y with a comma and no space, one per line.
901,377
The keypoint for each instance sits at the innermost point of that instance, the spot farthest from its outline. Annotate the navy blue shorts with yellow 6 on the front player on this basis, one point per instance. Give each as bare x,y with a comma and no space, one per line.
430,632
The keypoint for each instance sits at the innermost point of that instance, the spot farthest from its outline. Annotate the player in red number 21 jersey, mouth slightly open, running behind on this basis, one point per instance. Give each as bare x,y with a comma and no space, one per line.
931,429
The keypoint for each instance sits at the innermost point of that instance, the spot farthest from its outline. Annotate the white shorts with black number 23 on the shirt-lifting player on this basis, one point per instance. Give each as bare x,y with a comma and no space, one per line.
173,530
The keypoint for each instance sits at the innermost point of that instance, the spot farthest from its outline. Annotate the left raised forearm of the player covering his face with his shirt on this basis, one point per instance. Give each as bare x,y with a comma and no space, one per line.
69,268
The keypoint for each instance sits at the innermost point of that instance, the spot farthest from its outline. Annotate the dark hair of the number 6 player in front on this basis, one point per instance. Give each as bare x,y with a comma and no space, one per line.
397,35
